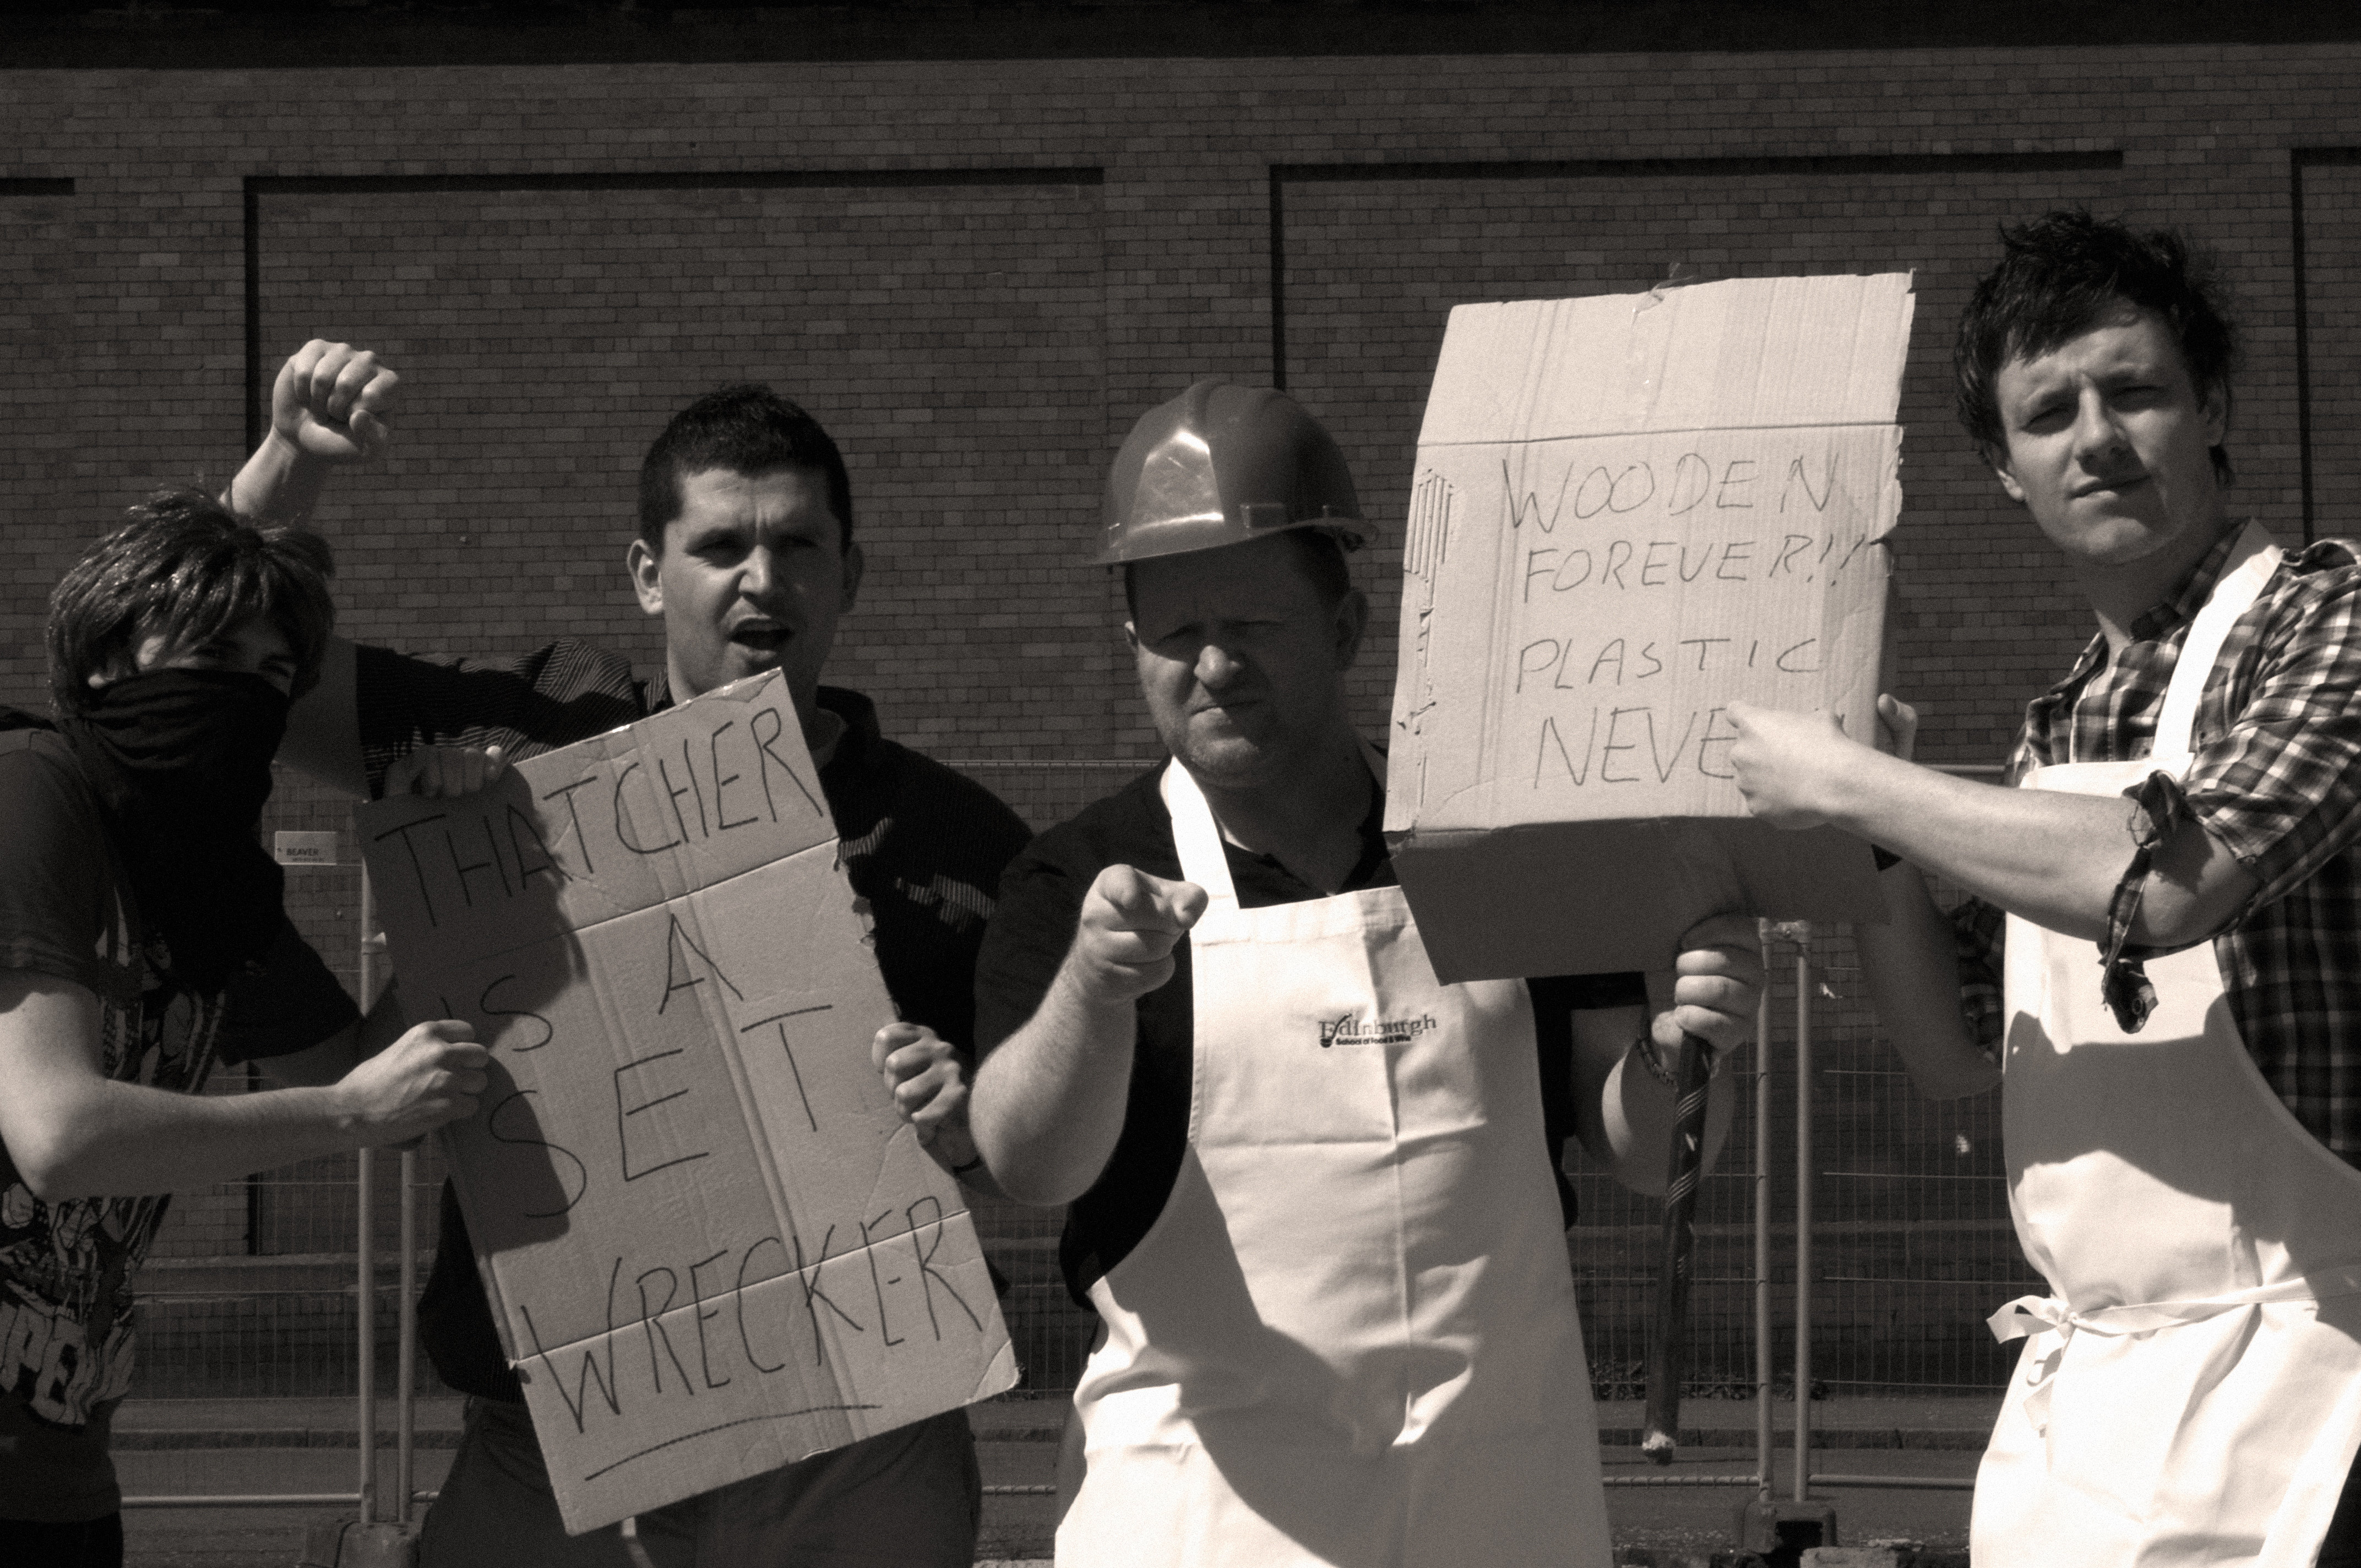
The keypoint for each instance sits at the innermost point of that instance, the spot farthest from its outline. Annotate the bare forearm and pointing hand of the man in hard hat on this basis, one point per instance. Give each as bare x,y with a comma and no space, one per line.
1049,1102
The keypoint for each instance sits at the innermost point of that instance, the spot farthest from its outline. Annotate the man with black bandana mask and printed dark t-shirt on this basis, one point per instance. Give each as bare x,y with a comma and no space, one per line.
133,901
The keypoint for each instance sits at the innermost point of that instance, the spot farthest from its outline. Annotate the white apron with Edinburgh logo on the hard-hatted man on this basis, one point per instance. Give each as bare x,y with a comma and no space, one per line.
1352,1335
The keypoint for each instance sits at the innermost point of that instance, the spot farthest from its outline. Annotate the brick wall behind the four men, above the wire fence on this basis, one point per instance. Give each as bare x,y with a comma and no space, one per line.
979,273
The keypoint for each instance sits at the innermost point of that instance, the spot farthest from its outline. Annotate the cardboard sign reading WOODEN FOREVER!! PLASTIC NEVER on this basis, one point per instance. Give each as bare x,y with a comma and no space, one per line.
1628,514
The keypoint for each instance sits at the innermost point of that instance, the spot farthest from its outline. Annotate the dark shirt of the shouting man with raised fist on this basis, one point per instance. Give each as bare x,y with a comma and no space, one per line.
922,844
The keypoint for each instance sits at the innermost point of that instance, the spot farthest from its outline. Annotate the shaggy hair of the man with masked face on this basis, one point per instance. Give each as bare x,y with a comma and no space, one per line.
188,568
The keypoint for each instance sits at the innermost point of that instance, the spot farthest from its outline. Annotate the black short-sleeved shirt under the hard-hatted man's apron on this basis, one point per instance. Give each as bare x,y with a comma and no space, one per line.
1040,908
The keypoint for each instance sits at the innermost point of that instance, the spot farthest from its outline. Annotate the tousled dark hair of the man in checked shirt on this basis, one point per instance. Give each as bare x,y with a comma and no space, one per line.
2067,273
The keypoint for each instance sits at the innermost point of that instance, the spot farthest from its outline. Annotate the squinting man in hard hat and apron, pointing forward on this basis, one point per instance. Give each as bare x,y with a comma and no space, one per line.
1312,1187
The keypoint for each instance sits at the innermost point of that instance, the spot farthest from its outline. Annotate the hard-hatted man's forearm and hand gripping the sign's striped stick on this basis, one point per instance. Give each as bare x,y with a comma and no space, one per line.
1623,1111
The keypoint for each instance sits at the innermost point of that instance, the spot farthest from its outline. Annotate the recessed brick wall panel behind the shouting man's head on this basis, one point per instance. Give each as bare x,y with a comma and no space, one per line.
948,337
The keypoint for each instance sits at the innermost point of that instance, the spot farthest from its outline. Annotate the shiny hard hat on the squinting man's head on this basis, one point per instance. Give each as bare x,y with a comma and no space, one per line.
1219,466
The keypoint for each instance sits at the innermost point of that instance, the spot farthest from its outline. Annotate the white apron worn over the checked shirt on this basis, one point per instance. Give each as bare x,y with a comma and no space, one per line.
2192,1390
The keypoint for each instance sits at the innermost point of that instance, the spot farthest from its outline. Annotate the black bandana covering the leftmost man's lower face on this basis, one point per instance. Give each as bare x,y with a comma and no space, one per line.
183,766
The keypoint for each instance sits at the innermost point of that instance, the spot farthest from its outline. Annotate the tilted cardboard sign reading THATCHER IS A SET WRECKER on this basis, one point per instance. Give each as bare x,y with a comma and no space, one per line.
707,1239
